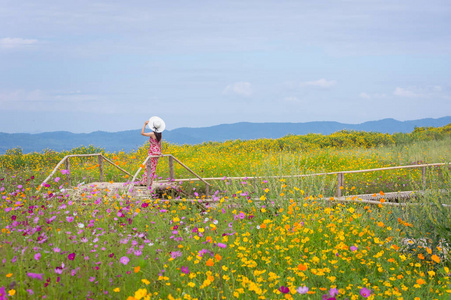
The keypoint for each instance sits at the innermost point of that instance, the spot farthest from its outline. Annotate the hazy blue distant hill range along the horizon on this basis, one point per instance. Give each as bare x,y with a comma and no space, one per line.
132,139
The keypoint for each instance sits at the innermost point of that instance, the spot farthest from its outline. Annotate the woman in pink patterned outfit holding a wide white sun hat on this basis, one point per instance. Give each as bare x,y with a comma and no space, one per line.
157,126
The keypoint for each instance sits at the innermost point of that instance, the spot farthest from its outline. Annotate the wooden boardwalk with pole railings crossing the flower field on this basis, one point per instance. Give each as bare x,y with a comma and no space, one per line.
172,185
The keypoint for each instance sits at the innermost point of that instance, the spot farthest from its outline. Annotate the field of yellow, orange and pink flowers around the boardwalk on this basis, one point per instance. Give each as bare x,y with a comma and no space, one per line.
271,238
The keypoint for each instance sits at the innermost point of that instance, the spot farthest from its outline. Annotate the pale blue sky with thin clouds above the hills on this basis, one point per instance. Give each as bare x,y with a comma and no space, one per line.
84,66
